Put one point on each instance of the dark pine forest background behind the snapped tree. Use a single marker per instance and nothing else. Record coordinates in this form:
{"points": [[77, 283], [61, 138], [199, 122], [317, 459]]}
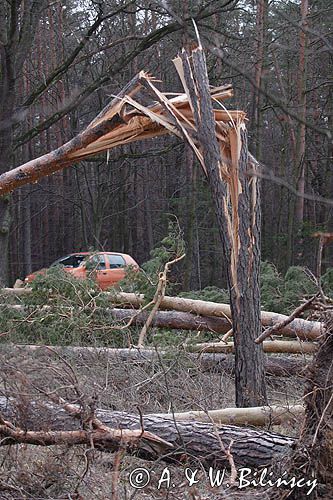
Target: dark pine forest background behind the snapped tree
{"points": [[61, 62]]}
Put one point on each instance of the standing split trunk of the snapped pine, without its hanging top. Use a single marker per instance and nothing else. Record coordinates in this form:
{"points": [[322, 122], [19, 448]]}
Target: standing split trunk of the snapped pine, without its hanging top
{"points": [[237, 206]]}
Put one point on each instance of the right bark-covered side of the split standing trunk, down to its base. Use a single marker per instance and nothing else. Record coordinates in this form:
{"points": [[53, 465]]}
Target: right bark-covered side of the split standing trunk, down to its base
{"points": [[245, 303]]}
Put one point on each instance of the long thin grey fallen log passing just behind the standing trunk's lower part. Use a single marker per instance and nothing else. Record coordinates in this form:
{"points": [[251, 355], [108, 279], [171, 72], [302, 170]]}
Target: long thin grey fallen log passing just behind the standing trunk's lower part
{"points": [[206, 362]]}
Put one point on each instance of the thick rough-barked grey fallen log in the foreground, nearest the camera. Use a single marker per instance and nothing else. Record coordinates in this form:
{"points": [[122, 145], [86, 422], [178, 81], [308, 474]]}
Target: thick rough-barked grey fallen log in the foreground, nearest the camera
{"points": [[188, 440]]}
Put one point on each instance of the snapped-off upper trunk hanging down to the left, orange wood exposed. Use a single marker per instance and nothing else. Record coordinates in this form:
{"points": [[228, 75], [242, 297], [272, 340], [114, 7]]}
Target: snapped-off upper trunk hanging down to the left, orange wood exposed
{"points": [[117, 124]]}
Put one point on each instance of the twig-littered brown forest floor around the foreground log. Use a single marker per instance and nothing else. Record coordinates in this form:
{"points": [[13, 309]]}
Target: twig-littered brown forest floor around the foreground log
{"points": [[60, 472]]}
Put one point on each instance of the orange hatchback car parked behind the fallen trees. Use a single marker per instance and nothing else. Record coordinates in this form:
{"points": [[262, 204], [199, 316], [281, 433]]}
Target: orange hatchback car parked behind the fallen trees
{"points": [[107, 268]]}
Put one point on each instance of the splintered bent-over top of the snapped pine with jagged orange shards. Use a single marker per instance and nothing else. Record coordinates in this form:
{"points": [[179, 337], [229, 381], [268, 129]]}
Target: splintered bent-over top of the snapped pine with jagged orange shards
{"points": [[125, 120]]}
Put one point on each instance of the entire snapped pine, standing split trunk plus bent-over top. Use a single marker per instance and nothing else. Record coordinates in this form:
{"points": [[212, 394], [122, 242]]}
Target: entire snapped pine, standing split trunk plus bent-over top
{"points": [[218, 138]]}
